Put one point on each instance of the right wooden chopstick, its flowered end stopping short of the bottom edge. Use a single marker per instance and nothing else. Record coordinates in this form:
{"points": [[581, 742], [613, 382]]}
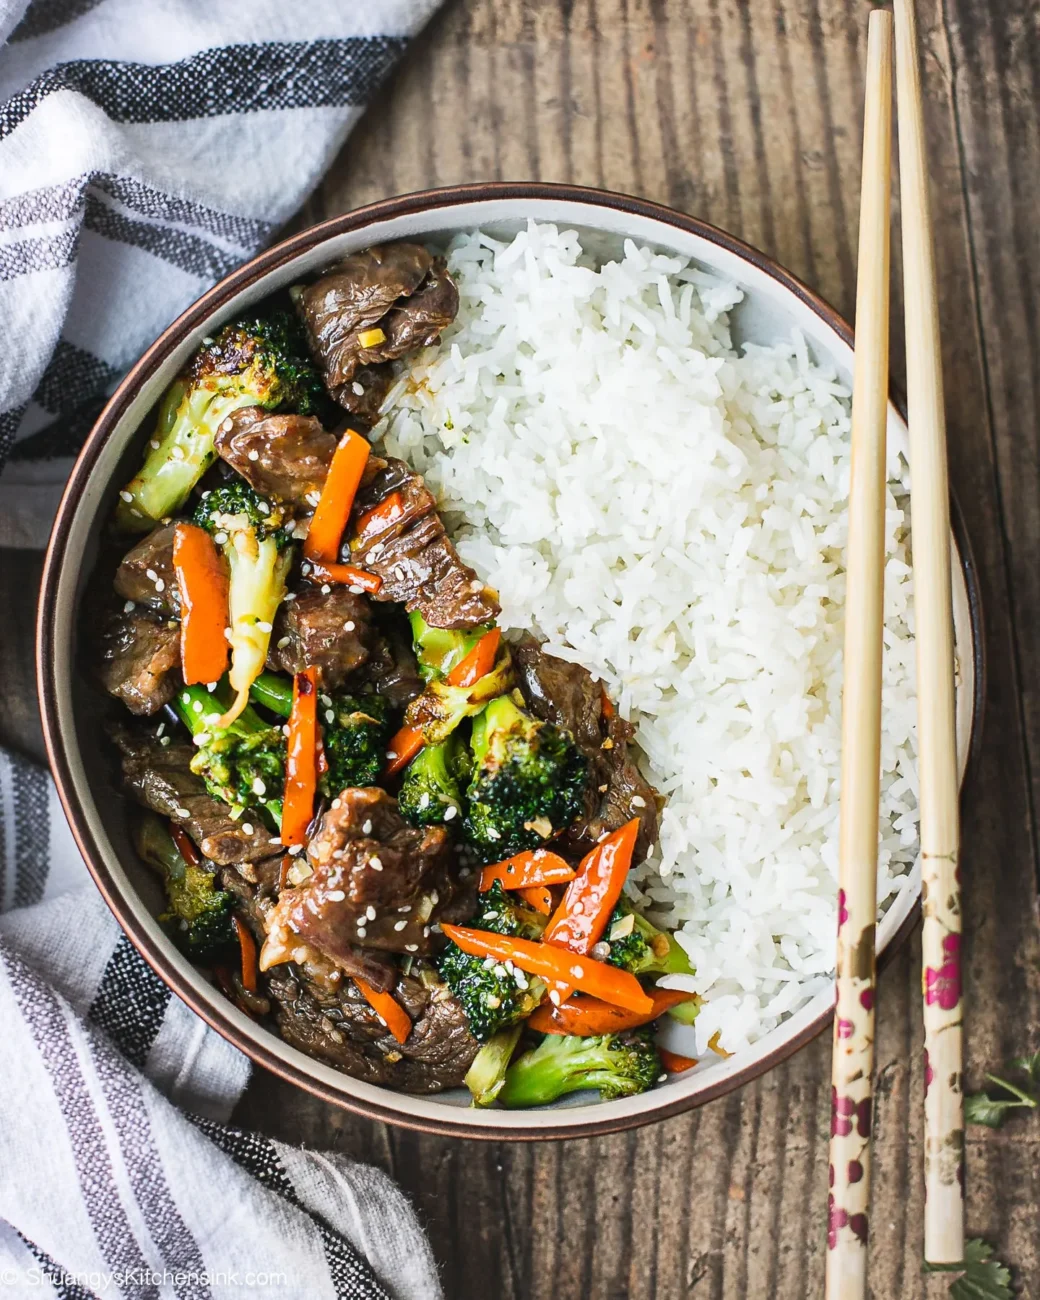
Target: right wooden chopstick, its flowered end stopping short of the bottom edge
{"points": [[941, 837]]}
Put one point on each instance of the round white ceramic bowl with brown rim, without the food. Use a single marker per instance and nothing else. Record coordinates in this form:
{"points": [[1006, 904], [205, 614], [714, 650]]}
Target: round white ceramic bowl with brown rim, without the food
{"points": [[775, 304]]}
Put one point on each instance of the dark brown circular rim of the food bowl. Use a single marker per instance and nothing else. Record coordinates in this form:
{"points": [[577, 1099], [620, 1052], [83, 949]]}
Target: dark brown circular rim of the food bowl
{"points": [[267, 262]]}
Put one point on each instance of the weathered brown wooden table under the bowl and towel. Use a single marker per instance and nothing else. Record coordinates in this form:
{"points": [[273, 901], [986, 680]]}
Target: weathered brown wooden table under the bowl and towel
{"points": [[748, 114]]}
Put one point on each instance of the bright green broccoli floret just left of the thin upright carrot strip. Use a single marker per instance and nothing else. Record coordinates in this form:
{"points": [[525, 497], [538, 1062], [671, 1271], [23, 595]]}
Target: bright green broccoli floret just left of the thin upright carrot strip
{"points": [[244, 765]]}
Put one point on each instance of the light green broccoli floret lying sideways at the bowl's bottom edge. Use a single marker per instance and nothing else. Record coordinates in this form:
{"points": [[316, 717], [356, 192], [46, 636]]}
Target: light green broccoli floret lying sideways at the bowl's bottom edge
{"points": [[619, 1065]]}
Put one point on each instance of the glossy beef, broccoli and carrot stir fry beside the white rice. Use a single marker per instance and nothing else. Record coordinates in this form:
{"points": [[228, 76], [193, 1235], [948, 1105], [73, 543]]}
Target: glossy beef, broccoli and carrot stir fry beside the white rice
{"points": [[388, 833]]}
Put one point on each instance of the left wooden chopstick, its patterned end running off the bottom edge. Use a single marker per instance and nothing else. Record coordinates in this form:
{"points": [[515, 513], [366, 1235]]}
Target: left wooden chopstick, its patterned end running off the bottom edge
{"points": [[861, 710]]}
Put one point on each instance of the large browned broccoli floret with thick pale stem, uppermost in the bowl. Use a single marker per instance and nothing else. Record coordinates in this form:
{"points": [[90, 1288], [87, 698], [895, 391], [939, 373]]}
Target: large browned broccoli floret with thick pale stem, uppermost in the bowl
{"points": [[261, 362]]}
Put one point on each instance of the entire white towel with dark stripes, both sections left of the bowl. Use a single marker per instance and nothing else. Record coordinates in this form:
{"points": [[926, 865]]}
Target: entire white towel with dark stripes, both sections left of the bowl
{"points": [[148, 148]]}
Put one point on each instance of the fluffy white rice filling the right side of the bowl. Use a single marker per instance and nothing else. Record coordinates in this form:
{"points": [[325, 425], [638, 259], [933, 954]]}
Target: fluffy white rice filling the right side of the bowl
{"points": [[671, 515]]}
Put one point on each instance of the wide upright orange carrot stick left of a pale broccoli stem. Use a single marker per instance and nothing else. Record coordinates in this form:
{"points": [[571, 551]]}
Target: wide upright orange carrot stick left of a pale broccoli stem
{"points": [[202, 580]]}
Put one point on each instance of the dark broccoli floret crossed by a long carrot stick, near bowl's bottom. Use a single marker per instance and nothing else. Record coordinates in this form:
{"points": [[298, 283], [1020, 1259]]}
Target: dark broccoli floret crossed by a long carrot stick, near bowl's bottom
{"points": [[491, 996]]}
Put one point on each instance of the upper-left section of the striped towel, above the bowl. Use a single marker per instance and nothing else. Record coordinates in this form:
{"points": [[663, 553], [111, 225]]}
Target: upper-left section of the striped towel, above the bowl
{"points": [[148, 148]]}
